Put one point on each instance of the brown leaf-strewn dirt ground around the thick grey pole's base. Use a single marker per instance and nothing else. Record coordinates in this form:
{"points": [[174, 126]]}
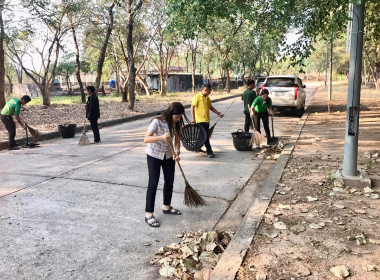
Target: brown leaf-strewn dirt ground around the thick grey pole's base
{"points": [[327, 224]]}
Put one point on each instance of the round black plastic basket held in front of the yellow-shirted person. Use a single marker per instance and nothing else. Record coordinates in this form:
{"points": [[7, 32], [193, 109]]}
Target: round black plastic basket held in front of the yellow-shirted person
{"points": [[193, 137]]}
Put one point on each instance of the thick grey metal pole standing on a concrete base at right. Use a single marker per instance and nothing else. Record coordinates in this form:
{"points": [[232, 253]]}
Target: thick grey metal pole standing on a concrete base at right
{"points": [[353, 98]]}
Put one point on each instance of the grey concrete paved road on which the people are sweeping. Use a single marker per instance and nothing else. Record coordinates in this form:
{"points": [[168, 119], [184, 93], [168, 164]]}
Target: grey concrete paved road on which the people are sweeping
{"points": [[70, 212]]}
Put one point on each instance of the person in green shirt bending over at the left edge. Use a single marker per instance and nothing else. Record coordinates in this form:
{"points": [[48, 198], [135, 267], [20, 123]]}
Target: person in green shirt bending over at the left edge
{"points": [[13, 107]]}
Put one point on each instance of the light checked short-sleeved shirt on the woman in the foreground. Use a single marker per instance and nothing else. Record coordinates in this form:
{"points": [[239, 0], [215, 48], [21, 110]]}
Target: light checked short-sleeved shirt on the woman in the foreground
{"points": [[161, 148]]}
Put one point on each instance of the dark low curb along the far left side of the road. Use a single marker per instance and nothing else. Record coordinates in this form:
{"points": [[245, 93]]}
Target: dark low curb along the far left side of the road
{"points": [[55, 134]]}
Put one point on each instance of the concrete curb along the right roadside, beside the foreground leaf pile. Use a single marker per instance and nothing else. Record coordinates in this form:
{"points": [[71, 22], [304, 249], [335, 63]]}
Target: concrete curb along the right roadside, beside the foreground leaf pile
{"points": [[231, 260]]}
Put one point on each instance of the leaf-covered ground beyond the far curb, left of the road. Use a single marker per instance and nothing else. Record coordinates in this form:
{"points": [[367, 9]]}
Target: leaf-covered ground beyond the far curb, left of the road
{"points": [[46, 119]]}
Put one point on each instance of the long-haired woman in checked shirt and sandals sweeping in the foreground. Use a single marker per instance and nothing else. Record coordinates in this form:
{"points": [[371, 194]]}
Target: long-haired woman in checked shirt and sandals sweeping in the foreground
{"points": [[162, 129]]}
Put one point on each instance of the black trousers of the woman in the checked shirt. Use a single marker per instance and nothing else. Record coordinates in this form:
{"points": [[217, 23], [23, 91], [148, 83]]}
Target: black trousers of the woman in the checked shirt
{"points": [[168, 168]]}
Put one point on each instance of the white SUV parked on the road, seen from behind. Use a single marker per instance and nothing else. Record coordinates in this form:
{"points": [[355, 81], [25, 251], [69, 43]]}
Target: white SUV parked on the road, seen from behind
{"points": [[286, 92]]}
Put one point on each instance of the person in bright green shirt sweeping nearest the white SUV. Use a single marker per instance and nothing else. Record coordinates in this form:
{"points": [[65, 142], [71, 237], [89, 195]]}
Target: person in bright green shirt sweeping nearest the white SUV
{"points": [[262, 109]]}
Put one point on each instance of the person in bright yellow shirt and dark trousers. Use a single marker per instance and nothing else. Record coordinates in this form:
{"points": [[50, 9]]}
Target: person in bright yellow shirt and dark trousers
{"points": [[200, 113]]}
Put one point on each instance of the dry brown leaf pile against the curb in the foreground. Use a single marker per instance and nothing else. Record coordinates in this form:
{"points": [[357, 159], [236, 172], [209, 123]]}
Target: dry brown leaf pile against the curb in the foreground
{"points": [[194, 257]]}
